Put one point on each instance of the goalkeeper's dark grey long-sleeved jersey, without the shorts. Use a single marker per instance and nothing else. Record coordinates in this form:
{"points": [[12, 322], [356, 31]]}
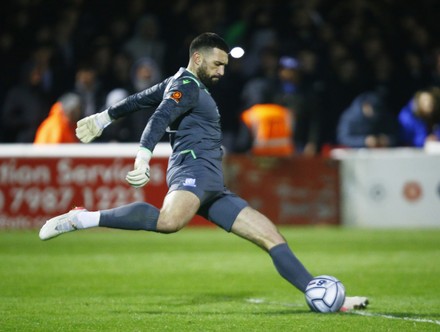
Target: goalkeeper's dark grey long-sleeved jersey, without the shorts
{"points": [[184, 107]]}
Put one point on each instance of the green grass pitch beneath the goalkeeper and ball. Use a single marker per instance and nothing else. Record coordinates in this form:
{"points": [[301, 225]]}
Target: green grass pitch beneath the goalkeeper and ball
{"points": [[204, 279]]}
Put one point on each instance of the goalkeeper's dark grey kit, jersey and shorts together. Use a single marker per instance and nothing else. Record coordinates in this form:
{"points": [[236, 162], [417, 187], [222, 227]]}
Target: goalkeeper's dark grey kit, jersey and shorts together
{"points": [[185, 107]]}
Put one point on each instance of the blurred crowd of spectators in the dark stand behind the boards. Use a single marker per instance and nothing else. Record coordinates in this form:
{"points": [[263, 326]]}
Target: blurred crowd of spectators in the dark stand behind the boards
{"points": [[354, 73]]}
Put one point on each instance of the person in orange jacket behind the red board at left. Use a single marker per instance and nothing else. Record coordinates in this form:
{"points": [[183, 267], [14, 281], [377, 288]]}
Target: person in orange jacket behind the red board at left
{"points": [[59, 126]]}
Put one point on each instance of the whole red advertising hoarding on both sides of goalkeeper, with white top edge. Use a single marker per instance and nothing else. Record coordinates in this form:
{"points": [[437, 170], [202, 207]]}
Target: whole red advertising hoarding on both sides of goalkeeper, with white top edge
{"points": [[37, 184]]}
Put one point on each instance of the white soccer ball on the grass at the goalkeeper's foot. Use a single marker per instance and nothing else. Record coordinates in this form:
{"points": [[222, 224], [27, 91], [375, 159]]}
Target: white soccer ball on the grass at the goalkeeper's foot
{"points": [[325, 294]]}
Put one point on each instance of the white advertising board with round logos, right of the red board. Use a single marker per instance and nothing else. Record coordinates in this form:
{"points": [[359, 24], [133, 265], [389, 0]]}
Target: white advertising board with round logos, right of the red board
{"points": [[389, 188]]}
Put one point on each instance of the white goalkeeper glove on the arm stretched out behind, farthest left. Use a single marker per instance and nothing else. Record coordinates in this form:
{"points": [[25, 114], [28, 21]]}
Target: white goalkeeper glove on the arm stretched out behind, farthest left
{"points": [[90, 127]]}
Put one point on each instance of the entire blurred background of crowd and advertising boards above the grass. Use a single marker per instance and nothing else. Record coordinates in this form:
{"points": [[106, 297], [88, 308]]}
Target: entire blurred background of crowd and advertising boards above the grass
{"points": [[354, 80]]}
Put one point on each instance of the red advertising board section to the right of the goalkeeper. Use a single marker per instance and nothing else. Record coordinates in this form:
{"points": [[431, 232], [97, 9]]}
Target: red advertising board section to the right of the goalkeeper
{"points": [[293, 191]]}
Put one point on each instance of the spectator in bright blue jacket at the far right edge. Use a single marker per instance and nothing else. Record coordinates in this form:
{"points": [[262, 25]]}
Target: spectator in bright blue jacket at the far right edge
{"points": [[419, 120]]}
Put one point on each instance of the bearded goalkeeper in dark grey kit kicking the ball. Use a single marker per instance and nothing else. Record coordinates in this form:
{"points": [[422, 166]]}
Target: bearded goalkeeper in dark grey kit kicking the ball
{"points": [[184, 108]]}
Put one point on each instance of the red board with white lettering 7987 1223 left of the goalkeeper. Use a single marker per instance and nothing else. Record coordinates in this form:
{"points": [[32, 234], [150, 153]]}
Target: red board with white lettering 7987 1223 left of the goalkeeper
{"points": [[35, 189]]}
